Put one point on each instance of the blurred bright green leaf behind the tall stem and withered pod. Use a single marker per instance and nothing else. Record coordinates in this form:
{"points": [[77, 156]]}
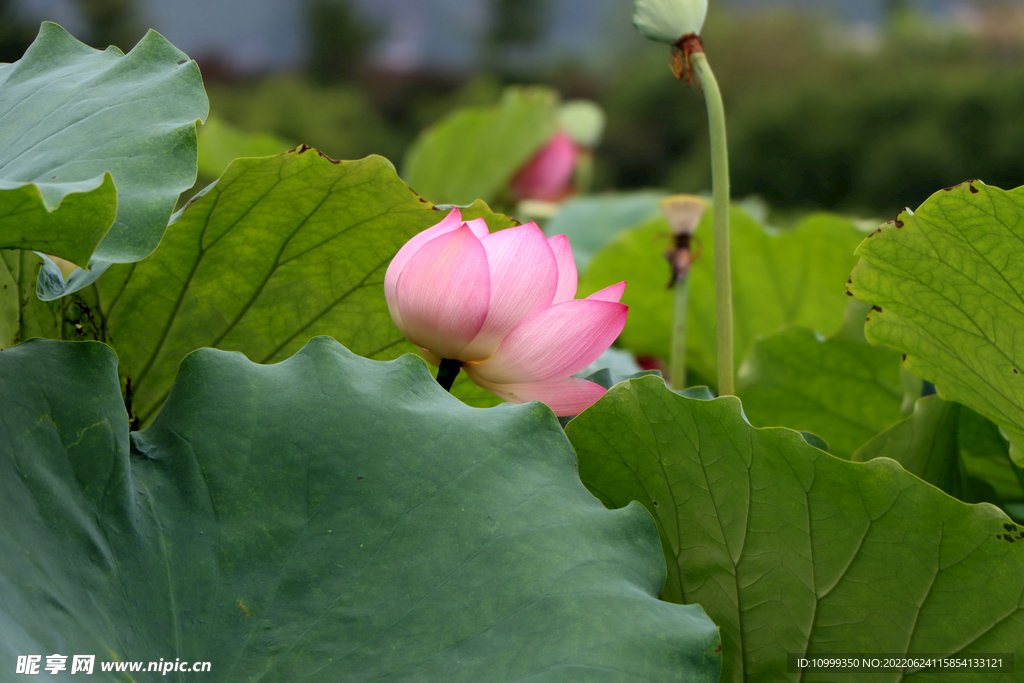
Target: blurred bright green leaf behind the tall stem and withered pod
{"points": [[794, 277]]}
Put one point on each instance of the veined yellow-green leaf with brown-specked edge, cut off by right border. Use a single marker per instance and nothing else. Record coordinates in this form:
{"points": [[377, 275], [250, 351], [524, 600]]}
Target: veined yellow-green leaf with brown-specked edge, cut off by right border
{"points": [[948, 283]]}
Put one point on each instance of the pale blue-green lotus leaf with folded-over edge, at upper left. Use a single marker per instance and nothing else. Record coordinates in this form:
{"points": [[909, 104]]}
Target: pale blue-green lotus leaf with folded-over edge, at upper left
{"points": [[78, 121]]}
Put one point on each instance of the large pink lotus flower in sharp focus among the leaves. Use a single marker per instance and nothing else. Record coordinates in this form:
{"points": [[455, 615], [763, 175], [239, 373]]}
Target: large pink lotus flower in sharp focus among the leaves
{"points": [[503, 305]]}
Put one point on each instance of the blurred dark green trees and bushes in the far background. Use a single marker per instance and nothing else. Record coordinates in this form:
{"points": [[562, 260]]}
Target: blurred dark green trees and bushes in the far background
{"points": [[861, 118]]}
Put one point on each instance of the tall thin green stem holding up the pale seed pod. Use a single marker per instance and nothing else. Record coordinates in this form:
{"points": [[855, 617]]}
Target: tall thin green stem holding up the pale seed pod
{"points": [[720, 192]]}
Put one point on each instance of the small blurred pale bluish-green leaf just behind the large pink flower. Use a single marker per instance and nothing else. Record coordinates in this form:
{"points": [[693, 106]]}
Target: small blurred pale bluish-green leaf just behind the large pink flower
{"points": [[591, 222]]}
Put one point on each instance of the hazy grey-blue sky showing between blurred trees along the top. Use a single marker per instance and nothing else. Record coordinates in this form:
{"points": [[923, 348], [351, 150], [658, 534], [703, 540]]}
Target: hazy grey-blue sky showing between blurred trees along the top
{"points": [[269, 35]]}
